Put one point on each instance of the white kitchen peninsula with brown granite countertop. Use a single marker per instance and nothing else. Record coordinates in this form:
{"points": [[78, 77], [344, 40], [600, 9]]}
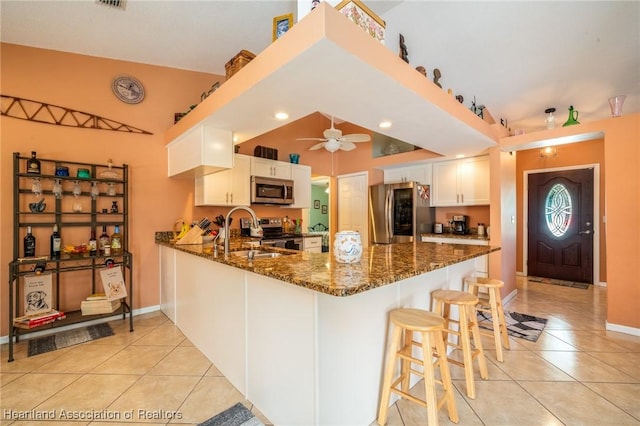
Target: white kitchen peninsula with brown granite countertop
{"points": [[302, 336]]}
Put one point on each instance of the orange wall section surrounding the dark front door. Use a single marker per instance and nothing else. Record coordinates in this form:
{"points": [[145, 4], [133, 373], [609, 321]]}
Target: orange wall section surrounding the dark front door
{"points": [[589, 152]]}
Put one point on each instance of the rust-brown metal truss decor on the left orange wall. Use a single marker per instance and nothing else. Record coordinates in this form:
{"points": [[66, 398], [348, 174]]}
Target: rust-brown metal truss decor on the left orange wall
{"points": [[42, 112]]}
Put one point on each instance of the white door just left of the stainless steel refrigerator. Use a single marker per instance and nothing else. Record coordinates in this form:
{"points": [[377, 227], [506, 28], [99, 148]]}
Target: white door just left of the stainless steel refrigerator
{"points": [[352, 204]]}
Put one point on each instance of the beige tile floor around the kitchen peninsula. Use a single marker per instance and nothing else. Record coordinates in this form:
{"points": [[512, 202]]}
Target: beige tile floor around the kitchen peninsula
{"points": [[577, 373]]}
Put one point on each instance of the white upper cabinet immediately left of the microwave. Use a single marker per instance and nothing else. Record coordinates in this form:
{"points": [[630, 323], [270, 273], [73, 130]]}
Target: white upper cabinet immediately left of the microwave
{"points": [[226, 188]]}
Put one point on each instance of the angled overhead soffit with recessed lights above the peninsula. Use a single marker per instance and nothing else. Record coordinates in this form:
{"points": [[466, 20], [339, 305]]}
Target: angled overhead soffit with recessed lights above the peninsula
{"points": [[353, 77]]}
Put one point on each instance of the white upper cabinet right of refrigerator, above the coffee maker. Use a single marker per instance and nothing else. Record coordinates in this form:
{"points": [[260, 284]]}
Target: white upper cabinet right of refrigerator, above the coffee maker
{"points": [[461, 182]]}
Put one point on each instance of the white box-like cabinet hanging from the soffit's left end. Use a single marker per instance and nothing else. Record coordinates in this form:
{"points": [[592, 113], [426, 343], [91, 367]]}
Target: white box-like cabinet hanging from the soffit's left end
{"points": [[201, 150]]}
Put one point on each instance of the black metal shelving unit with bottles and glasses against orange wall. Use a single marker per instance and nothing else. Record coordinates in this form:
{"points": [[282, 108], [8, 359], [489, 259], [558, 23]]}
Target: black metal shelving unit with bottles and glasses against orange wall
{"points": [[65, 218]]}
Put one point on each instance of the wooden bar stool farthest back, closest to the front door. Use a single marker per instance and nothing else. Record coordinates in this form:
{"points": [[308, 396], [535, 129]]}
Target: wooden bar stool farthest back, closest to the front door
{"points": [[490, 301]]}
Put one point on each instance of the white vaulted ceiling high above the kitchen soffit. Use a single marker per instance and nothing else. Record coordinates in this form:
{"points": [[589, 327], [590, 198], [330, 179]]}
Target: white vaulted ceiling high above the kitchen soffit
{"points": [[516, 58]]}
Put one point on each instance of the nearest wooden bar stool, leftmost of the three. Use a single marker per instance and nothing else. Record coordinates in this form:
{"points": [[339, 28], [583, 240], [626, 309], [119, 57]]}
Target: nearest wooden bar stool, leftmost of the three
{"points": [[429, 327]]}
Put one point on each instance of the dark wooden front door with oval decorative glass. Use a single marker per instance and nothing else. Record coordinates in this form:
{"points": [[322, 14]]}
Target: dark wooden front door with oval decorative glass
{"points": [[560, 227]]}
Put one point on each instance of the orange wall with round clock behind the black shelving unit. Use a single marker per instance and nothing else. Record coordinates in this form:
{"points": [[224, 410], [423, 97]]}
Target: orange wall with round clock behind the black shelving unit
{"points": [[84, 83]]}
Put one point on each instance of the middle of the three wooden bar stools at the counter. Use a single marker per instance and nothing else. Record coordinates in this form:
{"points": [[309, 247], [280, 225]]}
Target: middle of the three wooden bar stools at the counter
{"points": [[467, 328]]}
